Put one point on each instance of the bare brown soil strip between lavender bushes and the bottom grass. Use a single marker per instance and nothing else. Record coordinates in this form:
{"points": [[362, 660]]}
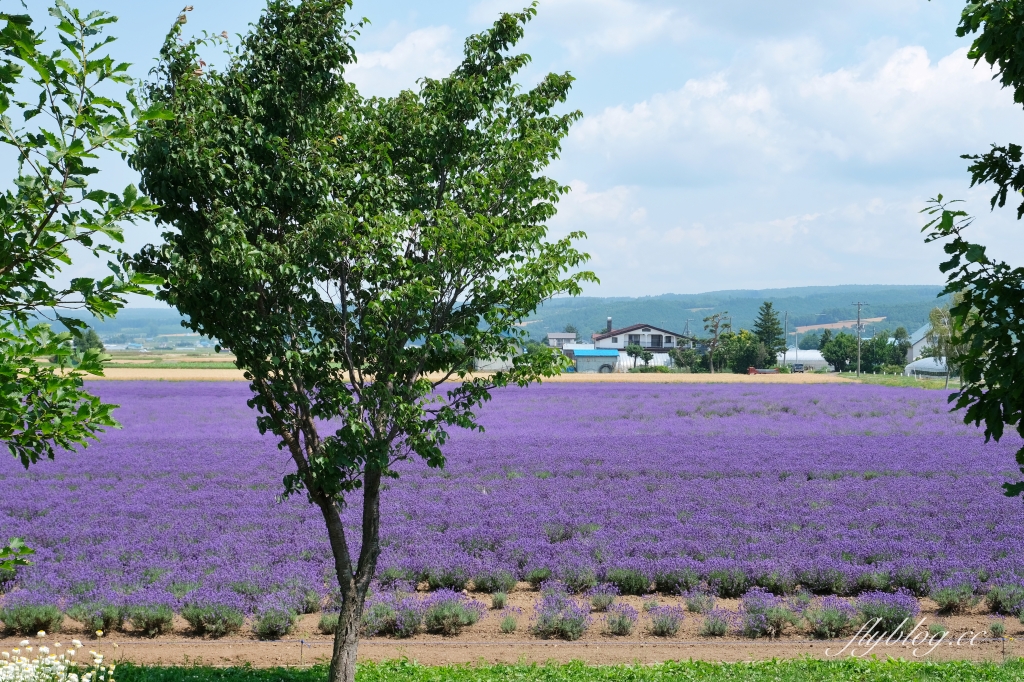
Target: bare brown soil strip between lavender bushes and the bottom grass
{"points": [[485, 643]]}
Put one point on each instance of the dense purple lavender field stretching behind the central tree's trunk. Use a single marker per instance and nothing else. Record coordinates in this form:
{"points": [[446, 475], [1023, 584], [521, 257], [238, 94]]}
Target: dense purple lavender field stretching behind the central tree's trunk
{"points": [[841, 489]]}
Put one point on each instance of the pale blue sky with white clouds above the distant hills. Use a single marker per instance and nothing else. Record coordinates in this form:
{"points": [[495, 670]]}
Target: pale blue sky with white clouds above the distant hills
{"points": [[739, 144]]}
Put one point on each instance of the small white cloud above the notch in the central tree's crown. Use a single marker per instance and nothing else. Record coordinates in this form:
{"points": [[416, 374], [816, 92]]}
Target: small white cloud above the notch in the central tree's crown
{"points": [[429, 53]]}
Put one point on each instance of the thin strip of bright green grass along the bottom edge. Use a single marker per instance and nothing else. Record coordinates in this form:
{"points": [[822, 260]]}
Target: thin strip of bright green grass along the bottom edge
{"points": [[776, 671]]}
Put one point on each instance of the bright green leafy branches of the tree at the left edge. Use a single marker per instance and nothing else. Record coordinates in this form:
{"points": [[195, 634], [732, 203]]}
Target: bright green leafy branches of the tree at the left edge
{"points": [[48, 212]]}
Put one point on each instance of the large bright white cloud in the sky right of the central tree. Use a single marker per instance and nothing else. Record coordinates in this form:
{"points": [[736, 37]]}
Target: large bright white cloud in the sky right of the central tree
{"points": [[788, 115]]}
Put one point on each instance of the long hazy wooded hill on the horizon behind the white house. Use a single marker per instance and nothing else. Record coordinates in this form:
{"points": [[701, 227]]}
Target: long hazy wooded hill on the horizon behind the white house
{"points": [[902, 306]]}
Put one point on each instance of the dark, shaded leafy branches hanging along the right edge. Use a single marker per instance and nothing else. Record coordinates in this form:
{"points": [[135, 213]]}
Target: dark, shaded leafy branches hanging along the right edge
{"points": [[989, 321]]}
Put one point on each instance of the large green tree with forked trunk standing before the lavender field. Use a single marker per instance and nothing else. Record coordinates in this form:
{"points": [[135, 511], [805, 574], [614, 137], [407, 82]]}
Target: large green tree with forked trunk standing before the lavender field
{"points": [[320, 236]]}
